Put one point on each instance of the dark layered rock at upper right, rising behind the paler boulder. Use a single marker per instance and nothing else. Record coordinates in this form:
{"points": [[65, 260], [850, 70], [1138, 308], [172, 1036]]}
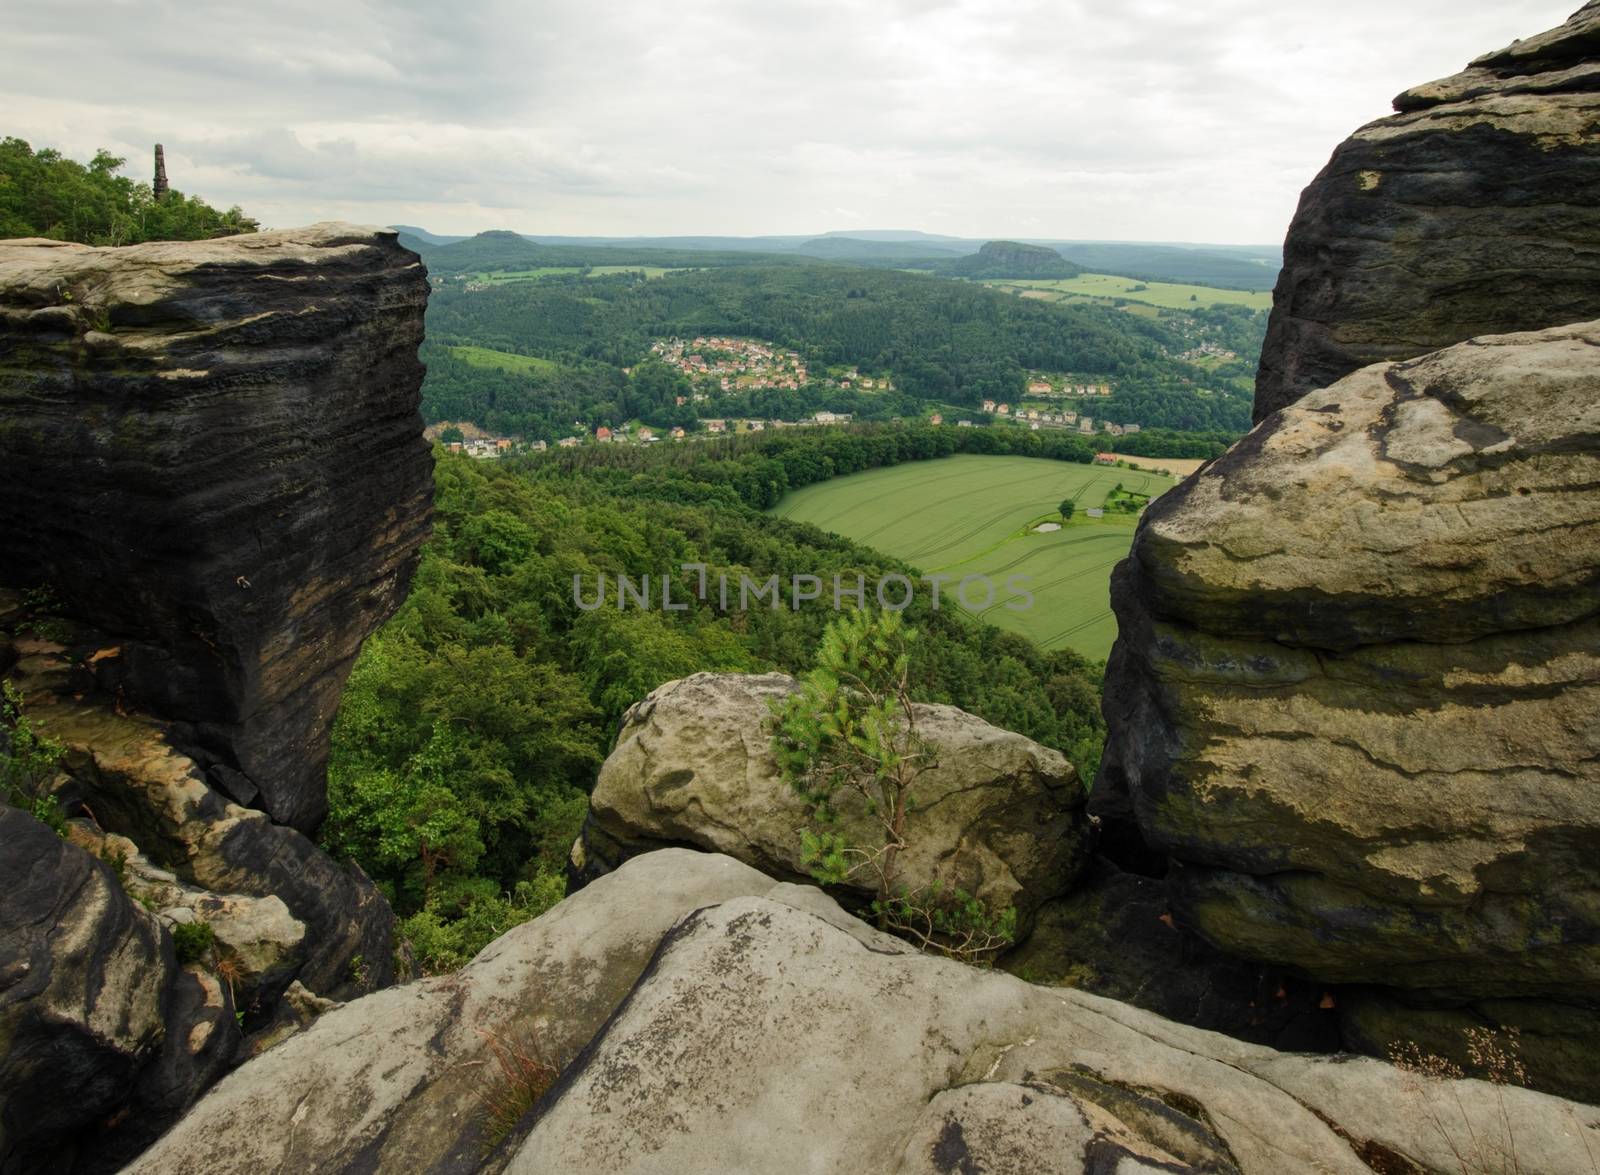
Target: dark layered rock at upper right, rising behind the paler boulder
{"points": [[1474, 211]]}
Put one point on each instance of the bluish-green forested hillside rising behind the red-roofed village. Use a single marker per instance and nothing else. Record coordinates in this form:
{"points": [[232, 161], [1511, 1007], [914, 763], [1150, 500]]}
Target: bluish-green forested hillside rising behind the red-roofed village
{"points": [[948, 342]]}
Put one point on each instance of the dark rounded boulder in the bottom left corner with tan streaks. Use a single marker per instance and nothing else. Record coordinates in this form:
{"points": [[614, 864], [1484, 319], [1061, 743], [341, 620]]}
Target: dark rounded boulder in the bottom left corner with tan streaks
{"points": [[103, 1038]]}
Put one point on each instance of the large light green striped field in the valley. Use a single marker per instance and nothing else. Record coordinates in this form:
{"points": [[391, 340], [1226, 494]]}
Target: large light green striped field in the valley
{"points": [[977, 515]]}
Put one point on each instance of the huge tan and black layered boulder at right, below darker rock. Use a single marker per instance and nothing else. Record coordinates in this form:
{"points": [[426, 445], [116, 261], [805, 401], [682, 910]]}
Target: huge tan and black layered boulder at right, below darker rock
{"points": [[1356, 688]]}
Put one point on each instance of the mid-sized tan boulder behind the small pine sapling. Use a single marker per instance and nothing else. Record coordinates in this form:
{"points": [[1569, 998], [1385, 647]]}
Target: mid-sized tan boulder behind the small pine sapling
{"points": [[1001, 817]]}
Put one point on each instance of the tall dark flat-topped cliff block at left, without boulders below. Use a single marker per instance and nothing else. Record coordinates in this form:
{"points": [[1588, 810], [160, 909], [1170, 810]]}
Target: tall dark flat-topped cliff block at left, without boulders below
{"points": [[214, 452]]}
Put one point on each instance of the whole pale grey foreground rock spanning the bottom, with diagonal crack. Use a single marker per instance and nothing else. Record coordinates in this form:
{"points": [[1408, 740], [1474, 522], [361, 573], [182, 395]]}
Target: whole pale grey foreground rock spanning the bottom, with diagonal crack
{"points": [[708, 1019]]}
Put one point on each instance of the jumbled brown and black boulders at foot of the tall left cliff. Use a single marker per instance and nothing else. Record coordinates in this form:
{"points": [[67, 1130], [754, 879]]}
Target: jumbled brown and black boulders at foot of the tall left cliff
{"points": [[92, 995]]}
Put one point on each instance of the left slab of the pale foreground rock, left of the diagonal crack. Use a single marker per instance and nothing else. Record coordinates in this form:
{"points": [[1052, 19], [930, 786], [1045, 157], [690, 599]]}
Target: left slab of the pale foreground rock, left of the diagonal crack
{"points": [[394, 1081]]}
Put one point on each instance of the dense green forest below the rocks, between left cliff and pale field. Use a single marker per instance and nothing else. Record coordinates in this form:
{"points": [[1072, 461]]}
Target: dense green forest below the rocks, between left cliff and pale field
{"points": [[476, 721]]}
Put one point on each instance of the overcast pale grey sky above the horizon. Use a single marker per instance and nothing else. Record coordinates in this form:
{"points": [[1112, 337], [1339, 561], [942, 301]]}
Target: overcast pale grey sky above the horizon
{"points": [[1094, 119]]}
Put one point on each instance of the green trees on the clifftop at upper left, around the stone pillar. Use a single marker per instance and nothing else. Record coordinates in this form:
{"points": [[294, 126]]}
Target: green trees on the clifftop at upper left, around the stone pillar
{"points": [[46, 194]]}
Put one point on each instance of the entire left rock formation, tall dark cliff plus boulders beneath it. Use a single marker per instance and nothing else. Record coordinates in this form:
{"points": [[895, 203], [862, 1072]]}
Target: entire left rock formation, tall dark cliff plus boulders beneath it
{"points": [[214, 486]]}
